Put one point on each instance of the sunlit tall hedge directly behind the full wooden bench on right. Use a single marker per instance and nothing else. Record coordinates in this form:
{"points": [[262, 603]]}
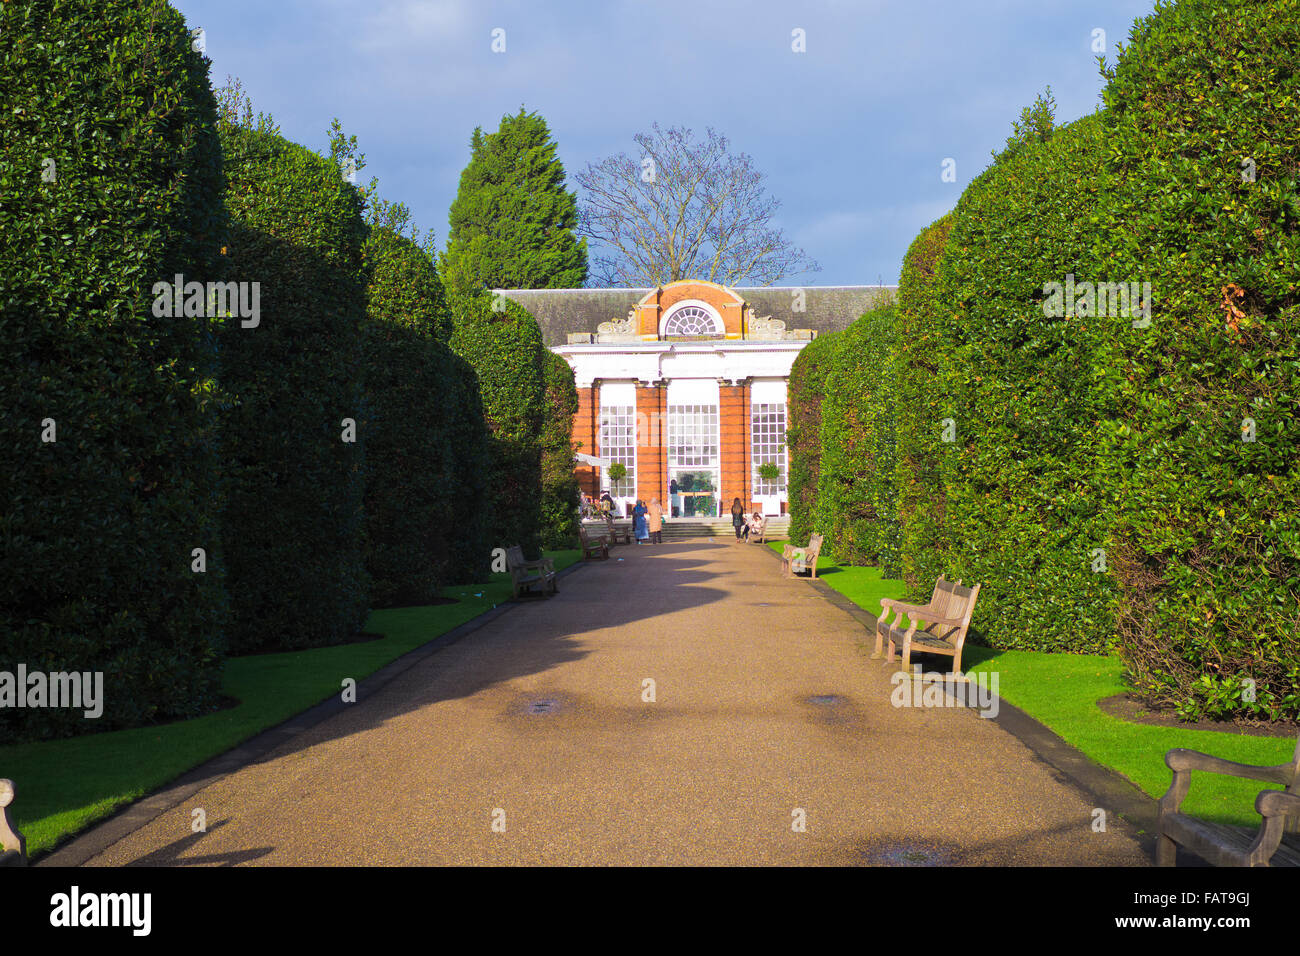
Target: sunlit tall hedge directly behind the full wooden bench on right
{"points": [[1026, 514]]}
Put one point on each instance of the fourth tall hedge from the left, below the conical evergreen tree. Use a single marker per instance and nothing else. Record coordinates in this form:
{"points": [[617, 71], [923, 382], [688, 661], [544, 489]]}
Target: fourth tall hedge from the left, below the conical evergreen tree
{"points": [[504, 344]]}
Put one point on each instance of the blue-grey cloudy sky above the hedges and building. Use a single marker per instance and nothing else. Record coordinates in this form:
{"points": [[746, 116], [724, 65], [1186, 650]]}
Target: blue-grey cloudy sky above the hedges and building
{"points": [[852, 133]]}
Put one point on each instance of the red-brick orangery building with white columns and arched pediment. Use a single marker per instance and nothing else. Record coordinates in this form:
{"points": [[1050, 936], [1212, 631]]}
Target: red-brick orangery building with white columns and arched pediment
{"points": [[686, 386]]}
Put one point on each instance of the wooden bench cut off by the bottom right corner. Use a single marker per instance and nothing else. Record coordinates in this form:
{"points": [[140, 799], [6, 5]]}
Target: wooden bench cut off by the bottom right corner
{"points": [[1276, 843]]}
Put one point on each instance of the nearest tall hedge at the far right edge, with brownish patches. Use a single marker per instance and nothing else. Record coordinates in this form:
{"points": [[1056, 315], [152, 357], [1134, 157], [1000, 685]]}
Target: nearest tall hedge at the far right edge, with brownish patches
{"points": [[1207, 552]]}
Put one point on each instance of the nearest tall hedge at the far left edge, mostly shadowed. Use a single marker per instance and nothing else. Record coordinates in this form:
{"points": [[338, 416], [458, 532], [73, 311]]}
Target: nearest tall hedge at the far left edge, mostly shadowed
{"points": [[98, 527]]}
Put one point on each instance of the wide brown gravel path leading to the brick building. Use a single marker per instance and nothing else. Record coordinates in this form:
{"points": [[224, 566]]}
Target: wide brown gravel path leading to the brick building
{"points": [[716, 771]]}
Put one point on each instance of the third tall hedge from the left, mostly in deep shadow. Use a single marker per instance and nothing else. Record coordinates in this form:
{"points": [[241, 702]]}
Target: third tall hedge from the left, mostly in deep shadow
{"points": [[414, 439]]}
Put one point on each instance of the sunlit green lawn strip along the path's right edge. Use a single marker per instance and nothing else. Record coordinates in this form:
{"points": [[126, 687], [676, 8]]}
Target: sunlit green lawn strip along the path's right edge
{"points": [[1063, 691]]}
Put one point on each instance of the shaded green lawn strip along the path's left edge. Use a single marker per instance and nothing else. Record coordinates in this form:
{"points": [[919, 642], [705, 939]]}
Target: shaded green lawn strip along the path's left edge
{"points": [[63, 786]]}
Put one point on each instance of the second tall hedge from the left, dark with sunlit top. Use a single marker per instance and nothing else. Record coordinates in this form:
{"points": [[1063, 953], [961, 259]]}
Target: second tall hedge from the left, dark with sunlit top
{"points": [[296, 527]]}
